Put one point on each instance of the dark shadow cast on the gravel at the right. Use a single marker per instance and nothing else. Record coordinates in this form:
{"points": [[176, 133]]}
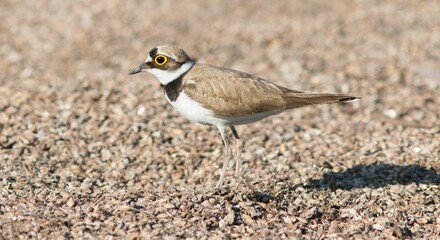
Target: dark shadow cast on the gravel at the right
{"points": [[375, 176]]}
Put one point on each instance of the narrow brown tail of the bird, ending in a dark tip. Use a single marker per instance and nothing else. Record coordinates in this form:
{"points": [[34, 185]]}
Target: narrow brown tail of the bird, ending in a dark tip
{"points": [[302, 99]]}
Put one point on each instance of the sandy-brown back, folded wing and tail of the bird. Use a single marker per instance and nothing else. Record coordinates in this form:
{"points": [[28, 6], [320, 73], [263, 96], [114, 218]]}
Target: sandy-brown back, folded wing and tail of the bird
{"points": [[232, 93]]}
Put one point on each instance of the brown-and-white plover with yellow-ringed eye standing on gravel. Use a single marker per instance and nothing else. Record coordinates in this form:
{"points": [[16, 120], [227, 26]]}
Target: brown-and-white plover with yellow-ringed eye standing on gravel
{"points": [[223, 97]]}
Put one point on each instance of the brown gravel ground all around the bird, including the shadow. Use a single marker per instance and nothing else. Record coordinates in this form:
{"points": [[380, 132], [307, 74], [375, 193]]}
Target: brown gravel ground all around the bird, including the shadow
{"points": [[88, 152]]}
